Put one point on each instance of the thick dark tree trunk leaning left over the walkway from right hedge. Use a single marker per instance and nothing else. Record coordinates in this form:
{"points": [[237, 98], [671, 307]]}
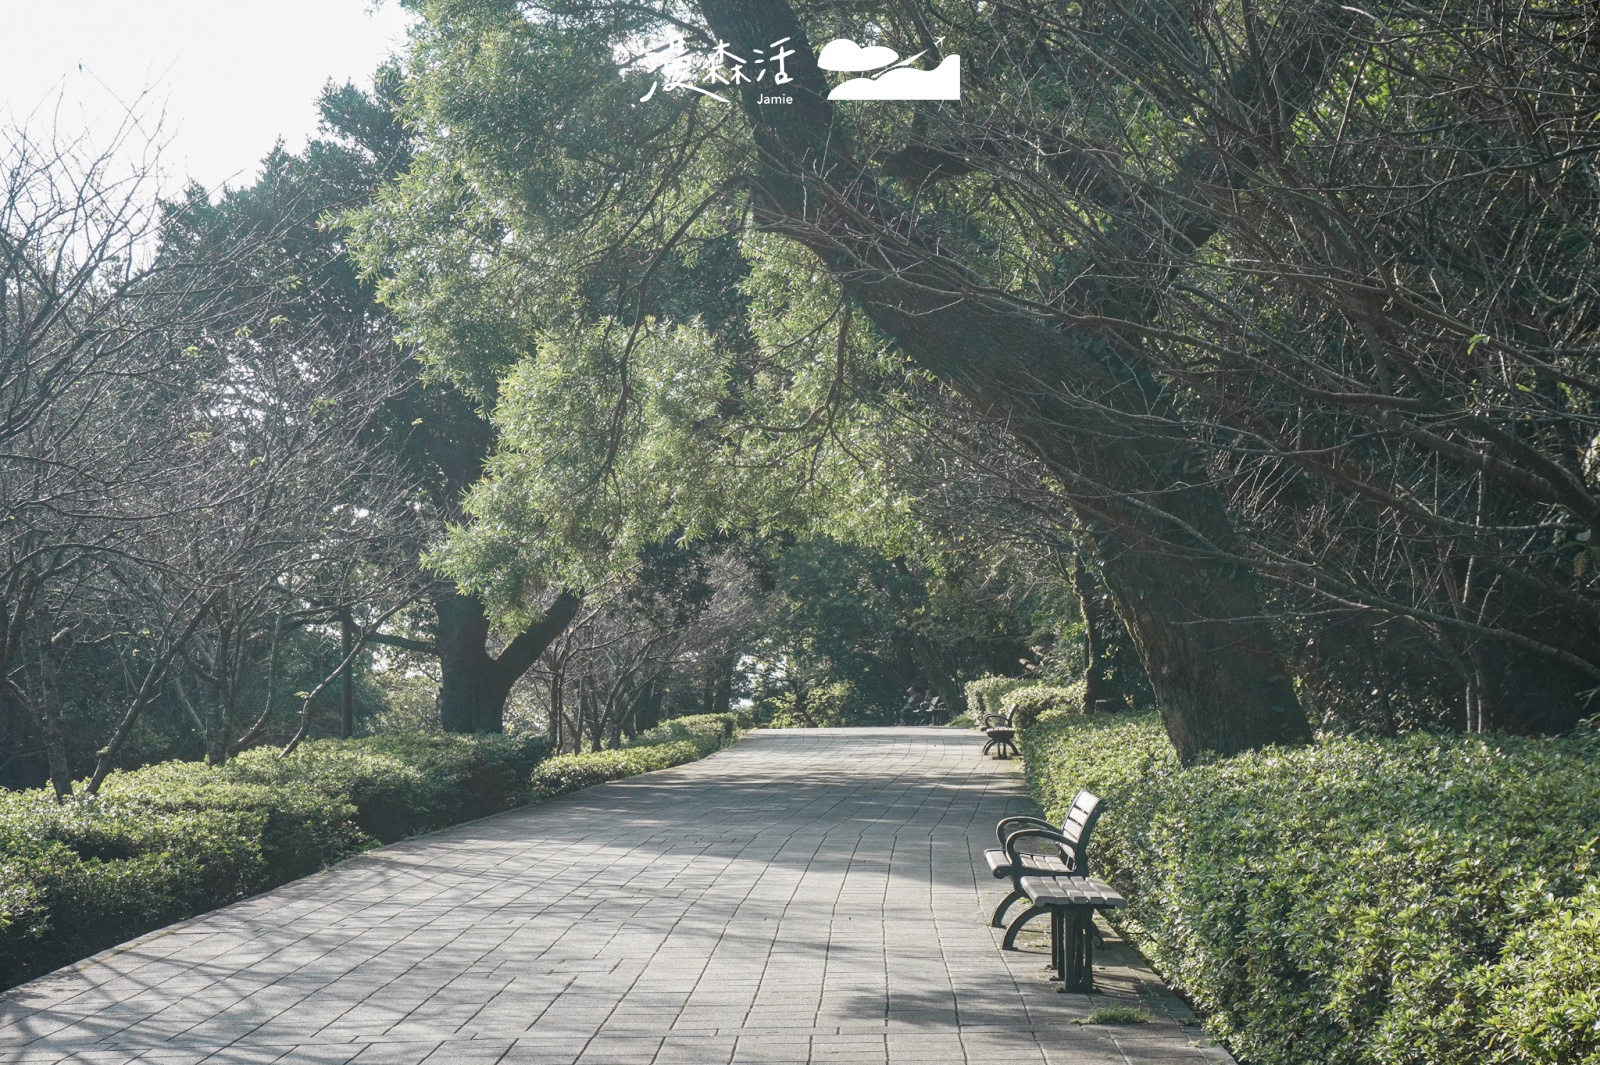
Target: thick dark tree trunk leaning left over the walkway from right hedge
{"points": [[1194, 615]]}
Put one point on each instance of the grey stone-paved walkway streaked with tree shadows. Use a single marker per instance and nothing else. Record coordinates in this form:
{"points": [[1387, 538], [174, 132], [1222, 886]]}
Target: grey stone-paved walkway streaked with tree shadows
{"points": [[806, 896]]}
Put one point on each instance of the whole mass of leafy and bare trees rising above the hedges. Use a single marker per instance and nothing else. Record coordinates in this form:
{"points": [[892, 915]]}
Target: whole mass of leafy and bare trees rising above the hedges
{"points": [[1241, 356]]}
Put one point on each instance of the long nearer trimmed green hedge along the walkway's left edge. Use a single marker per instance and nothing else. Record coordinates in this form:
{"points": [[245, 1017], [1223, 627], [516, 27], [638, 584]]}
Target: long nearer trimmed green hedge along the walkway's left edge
{"points": [[167, 842]]}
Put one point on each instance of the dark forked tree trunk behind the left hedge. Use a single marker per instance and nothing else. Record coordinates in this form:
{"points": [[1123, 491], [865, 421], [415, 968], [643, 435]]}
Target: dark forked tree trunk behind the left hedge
{"points": [[474, 685]]}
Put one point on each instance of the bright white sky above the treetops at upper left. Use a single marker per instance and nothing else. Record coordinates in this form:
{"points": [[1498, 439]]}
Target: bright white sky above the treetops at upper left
{"points": [[231, 76]]}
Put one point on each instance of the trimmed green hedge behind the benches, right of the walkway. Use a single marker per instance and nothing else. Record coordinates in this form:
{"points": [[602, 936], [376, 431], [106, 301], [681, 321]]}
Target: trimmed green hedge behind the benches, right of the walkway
{"points": [[1428, 899]]}
